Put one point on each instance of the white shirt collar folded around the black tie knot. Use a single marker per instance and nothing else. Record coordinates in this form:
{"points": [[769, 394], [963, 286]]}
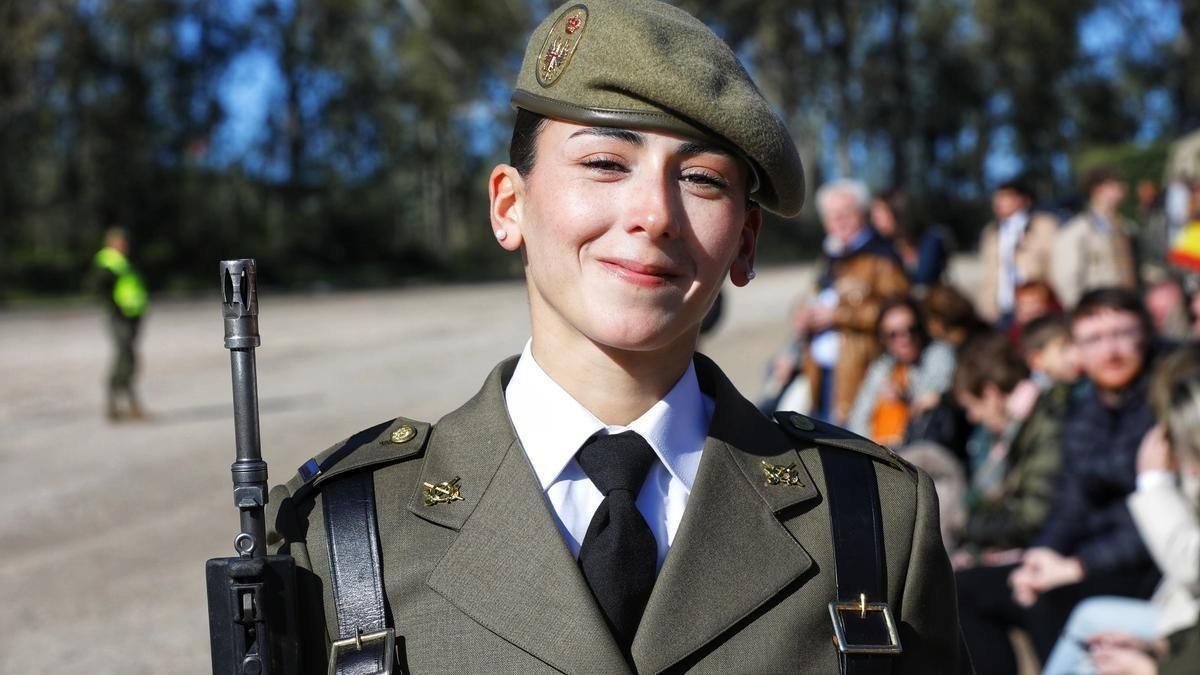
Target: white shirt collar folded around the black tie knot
{"points": [[553, 426]]}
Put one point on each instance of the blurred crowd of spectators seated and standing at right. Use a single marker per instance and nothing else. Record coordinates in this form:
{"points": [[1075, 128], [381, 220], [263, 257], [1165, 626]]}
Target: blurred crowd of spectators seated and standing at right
{"points": [[1057, 404]]}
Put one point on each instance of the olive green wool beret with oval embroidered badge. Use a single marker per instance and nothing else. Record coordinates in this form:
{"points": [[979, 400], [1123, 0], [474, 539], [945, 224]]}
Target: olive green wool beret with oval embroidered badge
{"points": [[643, 64]]}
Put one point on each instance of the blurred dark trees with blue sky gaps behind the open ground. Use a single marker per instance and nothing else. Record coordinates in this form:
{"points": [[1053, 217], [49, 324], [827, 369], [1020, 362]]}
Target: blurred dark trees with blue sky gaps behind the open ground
{"points": [[381, 121]]}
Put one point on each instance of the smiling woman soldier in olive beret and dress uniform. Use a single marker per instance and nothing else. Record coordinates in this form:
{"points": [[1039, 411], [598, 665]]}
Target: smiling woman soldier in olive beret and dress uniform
{"points": [[609, 503]]}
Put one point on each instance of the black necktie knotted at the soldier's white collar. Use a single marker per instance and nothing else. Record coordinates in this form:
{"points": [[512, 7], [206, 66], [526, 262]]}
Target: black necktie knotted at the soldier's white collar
{"points": [[619, 555]]}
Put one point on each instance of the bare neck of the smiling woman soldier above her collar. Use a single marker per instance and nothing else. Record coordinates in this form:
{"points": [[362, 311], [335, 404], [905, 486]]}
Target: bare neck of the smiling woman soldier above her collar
{"points": [[617, 386]]}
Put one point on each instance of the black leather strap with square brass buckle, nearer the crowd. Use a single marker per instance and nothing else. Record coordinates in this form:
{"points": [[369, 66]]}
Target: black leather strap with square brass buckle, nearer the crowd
{"points": [[857, 528]]}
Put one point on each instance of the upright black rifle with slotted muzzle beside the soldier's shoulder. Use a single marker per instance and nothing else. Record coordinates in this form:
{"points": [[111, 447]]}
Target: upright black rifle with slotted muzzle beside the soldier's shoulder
{"points": [[251, 598]]}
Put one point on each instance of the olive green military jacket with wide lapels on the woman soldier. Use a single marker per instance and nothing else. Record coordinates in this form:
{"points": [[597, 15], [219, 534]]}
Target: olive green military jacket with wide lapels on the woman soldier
{"points": [[488, 584]]}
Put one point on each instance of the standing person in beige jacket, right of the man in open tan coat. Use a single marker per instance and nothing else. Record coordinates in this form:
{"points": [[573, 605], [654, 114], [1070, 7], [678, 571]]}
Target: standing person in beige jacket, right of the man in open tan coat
{"points": [[1094, 249]]}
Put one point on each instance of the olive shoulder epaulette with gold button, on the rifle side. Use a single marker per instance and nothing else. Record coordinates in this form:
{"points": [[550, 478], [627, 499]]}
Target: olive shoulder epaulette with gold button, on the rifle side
{"points": [[385, 444]]}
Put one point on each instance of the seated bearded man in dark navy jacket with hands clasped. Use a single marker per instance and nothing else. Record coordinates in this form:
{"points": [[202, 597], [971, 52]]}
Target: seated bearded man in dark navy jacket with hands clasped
{"points": [[1089, 545]]}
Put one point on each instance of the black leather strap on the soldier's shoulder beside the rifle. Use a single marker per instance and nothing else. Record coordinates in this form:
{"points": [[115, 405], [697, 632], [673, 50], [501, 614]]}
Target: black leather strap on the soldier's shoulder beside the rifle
{"points": [[357, 572]]}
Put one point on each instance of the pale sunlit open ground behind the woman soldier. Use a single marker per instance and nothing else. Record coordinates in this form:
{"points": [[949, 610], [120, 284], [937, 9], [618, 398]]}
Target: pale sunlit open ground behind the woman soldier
{"points": [[107, 529]]}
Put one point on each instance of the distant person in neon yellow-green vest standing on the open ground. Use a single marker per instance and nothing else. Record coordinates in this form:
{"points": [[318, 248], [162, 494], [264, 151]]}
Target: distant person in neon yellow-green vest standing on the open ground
{"points": [[125, 298]]}
